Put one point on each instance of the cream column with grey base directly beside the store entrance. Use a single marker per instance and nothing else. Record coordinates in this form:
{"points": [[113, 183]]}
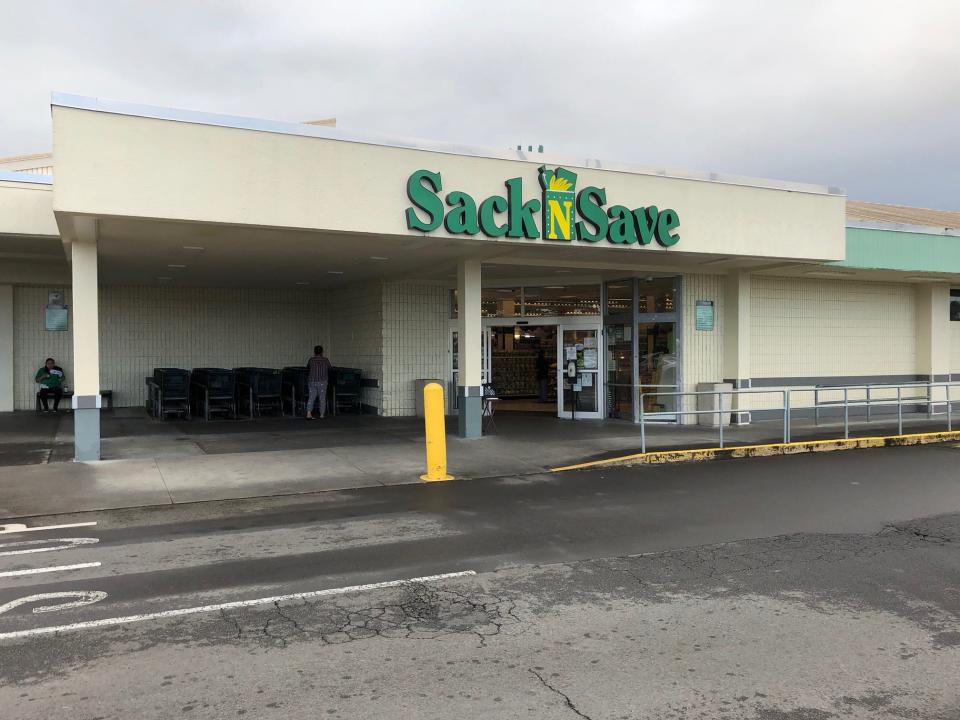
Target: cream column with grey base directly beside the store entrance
{"points": [[470, 331]]}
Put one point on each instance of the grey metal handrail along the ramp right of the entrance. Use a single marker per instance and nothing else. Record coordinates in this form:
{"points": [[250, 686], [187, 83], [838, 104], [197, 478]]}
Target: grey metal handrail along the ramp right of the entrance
{"points": [[788, 407]]}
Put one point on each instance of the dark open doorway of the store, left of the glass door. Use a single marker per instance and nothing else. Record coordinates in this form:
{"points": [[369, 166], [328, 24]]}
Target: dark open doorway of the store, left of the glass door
{"points": [[523, 367]]}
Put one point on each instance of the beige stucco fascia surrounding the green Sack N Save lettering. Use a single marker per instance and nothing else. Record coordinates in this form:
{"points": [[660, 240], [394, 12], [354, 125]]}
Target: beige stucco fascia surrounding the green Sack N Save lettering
{"points": [[111, 164]]}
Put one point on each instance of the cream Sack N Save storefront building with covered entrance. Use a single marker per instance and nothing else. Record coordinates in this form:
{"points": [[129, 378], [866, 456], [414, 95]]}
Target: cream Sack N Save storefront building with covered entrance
{"points": [[591, 290]]}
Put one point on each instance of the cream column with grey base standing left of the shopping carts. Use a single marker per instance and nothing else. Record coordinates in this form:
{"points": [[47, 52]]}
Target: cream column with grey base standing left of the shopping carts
{"points": [[86, 352]]}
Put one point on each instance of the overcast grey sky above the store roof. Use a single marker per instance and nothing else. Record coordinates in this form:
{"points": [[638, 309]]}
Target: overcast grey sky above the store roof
{"points": [[863, 94]]}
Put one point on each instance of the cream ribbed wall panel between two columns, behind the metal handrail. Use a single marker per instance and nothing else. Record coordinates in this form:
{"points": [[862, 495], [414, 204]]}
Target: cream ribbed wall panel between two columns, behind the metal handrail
{"points": [[814, 328]]}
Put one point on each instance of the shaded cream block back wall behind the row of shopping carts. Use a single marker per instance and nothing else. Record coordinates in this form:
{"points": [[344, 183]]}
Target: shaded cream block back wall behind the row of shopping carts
{"points": [[146, 327]]}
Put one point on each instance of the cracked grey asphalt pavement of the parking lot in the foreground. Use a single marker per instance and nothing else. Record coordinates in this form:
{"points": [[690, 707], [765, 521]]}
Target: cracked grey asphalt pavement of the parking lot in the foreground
{"points": [[800, 588]]}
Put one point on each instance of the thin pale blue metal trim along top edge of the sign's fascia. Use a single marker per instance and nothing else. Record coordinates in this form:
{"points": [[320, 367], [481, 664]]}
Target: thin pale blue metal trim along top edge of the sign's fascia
{"points": [[117, 107]]}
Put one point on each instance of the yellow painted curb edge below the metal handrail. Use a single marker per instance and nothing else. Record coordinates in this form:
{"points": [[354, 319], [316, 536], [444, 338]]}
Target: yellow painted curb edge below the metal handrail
{"points": [[660, 457]]}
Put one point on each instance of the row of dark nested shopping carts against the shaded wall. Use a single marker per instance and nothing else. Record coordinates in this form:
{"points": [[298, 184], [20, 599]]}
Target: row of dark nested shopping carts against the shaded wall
{"points": [[244, 392]]}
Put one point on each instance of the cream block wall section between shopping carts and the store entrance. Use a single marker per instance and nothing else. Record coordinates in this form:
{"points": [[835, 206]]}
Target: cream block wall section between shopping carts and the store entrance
{"points": [[415, 329]]}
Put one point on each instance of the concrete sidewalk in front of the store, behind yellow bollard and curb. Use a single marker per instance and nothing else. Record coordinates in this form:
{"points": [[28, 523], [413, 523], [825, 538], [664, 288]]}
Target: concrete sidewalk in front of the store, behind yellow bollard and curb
{"points": [[151, 463]]}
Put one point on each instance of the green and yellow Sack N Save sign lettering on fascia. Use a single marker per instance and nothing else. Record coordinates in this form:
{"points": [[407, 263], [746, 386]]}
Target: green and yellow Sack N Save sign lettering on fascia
{"points": [[559, 207]]}
